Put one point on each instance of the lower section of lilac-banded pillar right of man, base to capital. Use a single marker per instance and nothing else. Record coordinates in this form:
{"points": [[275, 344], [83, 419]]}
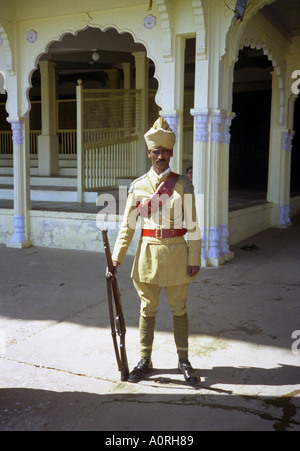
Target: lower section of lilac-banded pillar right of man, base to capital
{"points": [[211, 182]]}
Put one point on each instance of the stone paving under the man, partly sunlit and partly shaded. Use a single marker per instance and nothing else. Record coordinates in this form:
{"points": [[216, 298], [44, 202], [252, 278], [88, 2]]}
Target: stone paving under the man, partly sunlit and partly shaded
{"points": [[58, 370]]}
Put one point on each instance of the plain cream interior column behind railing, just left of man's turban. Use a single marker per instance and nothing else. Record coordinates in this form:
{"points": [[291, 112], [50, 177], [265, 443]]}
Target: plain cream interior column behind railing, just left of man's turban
{"points": [[142, 84]]}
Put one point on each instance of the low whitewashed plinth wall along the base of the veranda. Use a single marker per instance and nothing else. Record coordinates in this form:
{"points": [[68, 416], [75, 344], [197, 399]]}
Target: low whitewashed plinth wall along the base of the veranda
{"points": [[82, 232]]}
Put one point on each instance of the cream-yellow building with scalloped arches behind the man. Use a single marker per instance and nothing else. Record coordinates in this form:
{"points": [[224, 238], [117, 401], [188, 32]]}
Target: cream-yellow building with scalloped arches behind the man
{"points": [[81, 82]]}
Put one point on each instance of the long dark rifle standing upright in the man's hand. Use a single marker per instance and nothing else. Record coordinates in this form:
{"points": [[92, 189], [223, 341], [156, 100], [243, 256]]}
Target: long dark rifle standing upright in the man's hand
{"points": [[117, 321]]}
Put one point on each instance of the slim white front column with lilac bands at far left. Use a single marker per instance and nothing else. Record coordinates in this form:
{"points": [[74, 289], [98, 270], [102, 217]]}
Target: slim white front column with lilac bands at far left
{"points": [[20, 137]]}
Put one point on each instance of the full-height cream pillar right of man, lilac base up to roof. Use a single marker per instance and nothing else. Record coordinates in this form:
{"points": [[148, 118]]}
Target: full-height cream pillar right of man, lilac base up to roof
{"points": [[212, 121]]}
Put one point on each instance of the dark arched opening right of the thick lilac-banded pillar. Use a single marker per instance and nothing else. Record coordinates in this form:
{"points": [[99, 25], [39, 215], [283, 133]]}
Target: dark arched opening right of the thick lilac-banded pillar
{"points": [[249, 147]]}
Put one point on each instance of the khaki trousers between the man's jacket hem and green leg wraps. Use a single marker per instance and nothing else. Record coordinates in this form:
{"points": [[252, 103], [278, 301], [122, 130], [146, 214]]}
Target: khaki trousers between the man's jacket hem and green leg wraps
{"points": [[149, 296]]}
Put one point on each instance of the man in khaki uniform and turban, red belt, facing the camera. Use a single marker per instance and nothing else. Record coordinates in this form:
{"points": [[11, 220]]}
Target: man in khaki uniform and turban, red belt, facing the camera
{"points": [[166, 205]]}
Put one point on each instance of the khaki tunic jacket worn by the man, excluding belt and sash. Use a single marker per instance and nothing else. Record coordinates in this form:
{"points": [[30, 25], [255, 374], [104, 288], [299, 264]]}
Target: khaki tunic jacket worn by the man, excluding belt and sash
{"points": [[161, 261]]}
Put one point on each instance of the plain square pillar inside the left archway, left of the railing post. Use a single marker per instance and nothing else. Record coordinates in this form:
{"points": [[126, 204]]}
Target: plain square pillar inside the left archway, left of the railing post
{"points": [[48, 141]]}
